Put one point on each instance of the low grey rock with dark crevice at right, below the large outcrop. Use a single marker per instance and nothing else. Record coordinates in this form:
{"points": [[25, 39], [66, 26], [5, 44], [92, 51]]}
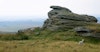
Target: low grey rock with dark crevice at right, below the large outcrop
{"points": [[83, 31]]}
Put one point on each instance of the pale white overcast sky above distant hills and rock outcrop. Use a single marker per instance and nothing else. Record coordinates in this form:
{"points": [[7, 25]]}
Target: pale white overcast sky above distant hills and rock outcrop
{"points": [[34, 9]]}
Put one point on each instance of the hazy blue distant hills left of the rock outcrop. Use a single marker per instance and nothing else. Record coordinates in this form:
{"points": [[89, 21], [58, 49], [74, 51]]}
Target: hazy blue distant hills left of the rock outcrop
{"points": [[14, 26]]}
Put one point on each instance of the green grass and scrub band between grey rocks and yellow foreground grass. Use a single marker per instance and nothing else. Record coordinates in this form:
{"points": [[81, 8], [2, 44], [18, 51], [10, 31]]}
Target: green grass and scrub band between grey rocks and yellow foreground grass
{"points": [[52, 35]]}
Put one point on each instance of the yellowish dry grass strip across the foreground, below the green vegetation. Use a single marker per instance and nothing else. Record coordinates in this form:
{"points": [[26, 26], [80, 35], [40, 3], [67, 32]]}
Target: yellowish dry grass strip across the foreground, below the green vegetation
{"points": [[47, 46]]}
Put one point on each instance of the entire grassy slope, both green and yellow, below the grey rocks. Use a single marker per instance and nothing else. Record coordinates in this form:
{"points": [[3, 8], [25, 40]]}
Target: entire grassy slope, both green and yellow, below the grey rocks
{"points": [[50, 41]]}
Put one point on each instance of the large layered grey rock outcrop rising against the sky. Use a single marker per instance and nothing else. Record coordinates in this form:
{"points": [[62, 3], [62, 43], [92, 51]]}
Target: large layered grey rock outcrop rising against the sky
{"points": [[61, 18]]}
